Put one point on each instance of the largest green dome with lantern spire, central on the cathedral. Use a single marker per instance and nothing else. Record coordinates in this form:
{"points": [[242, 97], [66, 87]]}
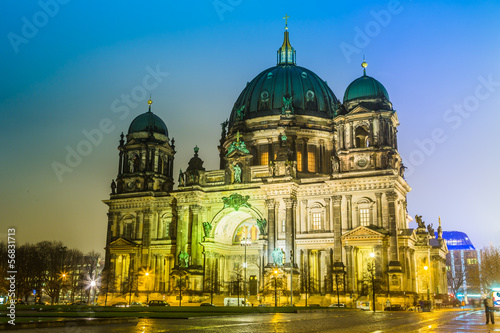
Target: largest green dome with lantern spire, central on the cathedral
{"points": [[285, 89]]}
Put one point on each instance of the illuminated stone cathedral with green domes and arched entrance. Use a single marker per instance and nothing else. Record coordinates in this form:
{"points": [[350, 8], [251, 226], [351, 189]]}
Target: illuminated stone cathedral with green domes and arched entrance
{"points": [[308, 185]]}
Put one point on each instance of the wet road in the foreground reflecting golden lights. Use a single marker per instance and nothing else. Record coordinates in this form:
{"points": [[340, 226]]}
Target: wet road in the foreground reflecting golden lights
{"points": [[331, 321]]}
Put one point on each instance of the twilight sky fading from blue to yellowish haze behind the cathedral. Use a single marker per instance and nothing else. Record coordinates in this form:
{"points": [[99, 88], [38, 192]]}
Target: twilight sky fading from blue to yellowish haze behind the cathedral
{"points": [[75, 74]]}
